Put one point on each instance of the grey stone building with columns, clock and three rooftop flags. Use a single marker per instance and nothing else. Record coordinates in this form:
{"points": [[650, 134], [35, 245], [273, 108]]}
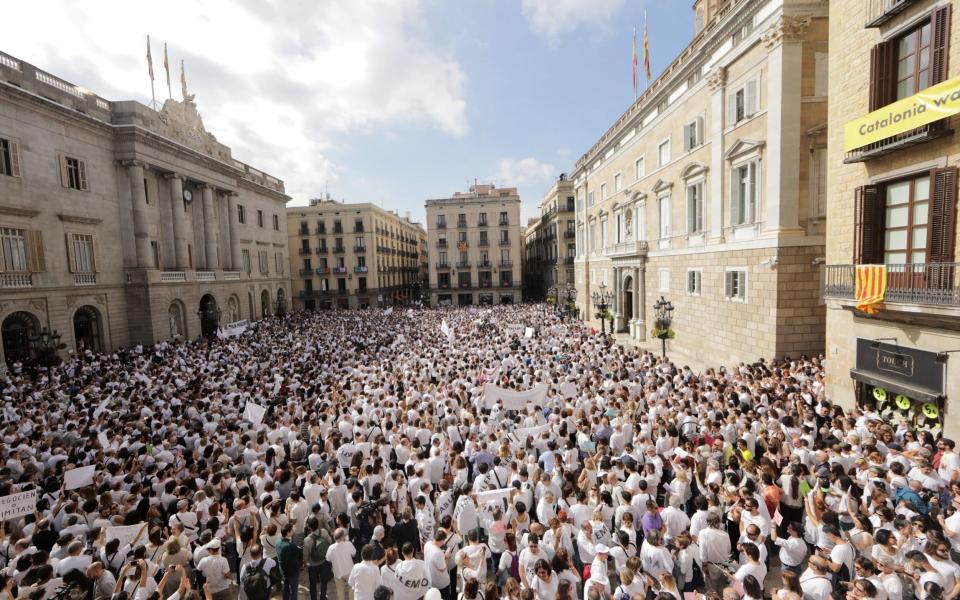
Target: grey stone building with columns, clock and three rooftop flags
{"points": [[121, 224]]}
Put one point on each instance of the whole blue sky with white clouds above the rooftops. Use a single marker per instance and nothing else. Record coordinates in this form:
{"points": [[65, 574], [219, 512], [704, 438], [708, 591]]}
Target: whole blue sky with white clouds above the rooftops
{"points": [[384, 101]]}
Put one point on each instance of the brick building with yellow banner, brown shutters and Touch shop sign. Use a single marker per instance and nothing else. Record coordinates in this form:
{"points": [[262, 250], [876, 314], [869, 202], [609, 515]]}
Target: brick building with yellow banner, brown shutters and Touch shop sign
{"points": [[892, 210]]}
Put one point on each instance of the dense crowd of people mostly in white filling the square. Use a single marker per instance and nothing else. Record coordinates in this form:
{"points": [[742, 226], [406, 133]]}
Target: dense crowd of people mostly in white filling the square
{"points": [[381, 469]]}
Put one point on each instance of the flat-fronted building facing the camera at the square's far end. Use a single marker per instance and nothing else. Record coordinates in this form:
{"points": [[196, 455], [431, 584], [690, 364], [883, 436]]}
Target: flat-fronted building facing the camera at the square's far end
{"points": [[473, 241]]}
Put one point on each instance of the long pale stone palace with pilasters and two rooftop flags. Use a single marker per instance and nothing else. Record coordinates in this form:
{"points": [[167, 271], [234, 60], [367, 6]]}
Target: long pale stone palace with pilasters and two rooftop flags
{"points": [[709, 190]]}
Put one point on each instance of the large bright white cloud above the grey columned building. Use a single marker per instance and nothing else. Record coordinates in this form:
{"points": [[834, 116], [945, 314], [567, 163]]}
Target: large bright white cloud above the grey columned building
{"points": [[276, 81]]}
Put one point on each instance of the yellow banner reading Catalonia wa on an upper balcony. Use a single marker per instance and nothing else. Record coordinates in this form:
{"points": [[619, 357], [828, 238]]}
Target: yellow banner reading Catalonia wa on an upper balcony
{"points": [[932, 104]]}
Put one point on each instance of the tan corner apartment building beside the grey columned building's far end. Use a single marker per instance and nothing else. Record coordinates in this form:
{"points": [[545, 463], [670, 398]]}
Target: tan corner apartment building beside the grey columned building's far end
{"points": [[354, 255]]}
